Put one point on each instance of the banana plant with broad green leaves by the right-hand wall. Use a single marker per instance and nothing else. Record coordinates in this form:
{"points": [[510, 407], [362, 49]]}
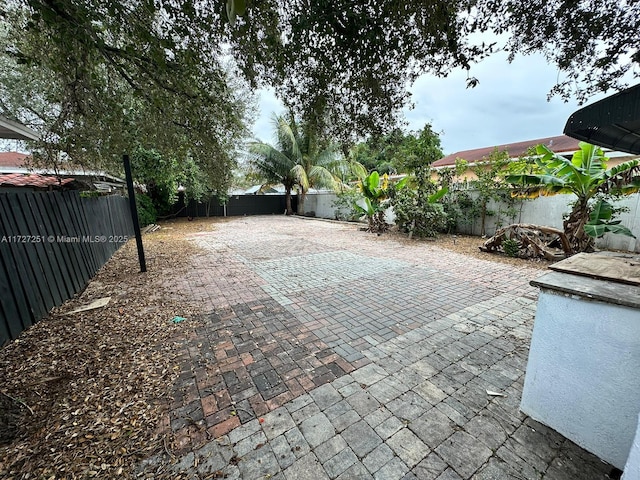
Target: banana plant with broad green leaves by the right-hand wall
{"points": [[587, 177]]}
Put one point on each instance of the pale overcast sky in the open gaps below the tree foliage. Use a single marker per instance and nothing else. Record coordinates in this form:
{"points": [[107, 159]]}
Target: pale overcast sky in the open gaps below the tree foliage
{"points": [[509, 105]]}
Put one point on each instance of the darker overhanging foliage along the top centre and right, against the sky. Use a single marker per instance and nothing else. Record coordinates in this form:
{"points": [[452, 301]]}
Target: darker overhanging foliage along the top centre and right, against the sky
{"points": [[348, 64]]}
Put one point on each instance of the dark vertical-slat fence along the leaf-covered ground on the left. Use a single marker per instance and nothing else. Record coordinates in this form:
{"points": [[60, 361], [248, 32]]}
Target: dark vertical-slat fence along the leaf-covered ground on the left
{"points": [[51, 244]]}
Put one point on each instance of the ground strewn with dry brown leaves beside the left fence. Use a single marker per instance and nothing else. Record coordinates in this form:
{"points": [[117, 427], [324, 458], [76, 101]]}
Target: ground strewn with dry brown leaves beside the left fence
{"points": [[92, 387]]}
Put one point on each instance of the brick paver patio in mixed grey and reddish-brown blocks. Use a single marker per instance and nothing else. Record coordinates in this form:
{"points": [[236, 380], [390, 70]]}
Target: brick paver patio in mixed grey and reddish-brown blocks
{"points": [[332, 353]]}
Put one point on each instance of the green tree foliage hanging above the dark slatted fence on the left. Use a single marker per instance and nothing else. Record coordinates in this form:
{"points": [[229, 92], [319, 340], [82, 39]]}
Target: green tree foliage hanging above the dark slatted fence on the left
{"points": [[99, 79]]}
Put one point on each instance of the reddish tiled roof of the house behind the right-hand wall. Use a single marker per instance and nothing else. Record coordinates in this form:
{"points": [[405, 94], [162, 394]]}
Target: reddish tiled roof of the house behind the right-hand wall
{"points": [[559, 144]]}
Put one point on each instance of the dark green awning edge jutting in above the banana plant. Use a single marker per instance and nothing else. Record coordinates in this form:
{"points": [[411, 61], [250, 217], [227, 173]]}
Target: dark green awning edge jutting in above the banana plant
{"points": [[613, 122]]}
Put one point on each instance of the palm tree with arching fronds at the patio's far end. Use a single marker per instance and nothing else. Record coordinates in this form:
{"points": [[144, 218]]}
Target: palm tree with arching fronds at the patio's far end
{"points": [[295, 161]]}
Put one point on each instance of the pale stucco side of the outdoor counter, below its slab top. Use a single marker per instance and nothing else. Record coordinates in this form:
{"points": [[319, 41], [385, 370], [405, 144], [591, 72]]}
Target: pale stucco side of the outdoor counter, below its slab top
{"points": [[582, 375]]}
